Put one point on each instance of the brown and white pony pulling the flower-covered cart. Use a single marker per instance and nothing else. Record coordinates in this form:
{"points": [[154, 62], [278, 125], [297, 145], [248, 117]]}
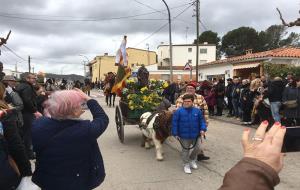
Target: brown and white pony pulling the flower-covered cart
{"points": [[156, 128]]}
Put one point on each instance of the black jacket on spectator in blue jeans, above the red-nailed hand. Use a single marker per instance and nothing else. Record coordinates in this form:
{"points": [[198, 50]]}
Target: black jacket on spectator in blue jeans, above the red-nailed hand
{"points": [[275, 90]]}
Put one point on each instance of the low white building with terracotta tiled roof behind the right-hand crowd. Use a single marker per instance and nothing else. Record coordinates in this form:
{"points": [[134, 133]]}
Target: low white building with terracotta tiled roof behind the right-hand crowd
{"points": [[250, 64]]}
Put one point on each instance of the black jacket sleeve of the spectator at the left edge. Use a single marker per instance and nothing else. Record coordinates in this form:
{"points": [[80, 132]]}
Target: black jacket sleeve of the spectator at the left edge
{"points": [[15, 145]]}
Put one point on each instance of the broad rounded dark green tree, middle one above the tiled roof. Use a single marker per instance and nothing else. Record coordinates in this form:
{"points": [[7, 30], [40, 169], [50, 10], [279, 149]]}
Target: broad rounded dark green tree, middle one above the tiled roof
{"points": [[237, 41]]}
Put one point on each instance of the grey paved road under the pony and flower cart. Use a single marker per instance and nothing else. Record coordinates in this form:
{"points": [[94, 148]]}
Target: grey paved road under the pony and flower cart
{"points": [[131, 167]]}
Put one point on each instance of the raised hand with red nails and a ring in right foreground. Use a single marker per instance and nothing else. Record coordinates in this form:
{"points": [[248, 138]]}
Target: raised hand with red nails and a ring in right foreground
{"points": [[265, 146]]}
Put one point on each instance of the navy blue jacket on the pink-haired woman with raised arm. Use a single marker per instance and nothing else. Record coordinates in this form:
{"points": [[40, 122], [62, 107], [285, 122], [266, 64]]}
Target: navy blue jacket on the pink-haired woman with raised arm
{"points": [[65, 148]]}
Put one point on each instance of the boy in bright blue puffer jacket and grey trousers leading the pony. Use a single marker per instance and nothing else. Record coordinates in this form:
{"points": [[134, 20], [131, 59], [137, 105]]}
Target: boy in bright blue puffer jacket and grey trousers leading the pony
{"points": [[188, 125]]}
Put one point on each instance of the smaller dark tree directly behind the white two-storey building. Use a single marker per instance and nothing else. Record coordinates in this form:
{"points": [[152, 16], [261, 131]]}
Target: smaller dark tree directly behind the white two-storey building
{"points": [[211, 38]]}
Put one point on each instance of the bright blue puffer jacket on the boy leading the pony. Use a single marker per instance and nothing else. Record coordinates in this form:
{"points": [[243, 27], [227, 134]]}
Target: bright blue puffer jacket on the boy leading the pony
{"points": [[187, 123]]}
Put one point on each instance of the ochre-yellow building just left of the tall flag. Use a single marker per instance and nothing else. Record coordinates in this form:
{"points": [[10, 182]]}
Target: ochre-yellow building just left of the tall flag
{"points": [[101, 65]]}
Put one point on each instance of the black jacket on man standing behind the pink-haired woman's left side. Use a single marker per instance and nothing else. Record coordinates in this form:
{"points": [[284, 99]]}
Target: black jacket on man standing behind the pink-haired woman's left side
{"points": [[28, 95]]}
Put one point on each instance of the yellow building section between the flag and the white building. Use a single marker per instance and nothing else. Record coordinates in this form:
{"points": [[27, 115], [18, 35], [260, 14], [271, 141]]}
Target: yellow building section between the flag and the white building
{"points": [[137, 57]]}
